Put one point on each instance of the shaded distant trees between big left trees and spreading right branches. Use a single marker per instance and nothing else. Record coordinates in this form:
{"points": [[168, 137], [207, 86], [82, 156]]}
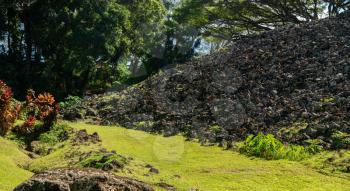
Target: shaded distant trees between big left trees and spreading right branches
{"points": [[172, 42]]}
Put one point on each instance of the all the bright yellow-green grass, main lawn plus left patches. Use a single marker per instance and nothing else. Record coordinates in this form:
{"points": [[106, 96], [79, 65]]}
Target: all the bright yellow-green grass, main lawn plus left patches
{"points": [[185, 165]]}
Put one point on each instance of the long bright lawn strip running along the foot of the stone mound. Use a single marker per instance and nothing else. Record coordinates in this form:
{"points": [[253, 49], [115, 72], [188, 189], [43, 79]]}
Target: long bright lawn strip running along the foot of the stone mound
{"points": [[187, 165]]}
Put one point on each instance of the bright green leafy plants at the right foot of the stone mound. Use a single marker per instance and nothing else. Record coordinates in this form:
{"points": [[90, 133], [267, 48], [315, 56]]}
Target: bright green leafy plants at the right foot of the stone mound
{"points": [[268, 147]]}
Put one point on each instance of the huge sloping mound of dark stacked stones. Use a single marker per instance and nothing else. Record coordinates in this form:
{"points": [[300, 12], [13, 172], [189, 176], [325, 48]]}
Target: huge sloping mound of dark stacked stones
{"points": [[262, 83]]}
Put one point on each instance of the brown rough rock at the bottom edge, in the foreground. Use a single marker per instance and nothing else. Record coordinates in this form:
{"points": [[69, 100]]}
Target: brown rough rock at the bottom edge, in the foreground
{"points": [[80, 180]]}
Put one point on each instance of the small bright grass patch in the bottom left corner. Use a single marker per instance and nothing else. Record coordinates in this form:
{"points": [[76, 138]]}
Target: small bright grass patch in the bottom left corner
{"points": [[11, 158]]}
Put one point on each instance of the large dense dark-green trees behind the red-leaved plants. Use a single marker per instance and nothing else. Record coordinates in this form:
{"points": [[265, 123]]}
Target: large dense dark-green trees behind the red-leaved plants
{"points": [[70, 45]]}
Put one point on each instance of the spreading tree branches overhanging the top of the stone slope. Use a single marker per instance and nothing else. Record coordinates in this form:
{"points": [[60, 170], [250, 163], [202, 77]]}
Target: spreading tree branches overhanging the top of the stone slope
{"points": [[226, 19]]}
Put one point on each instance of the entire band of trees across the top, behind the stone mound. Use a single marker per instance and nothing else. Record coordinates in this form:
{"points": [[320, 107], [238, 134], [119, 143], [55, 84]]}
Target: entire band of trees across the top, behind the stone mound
{"points": [[69, 47]]}
